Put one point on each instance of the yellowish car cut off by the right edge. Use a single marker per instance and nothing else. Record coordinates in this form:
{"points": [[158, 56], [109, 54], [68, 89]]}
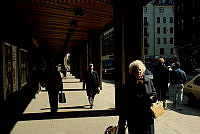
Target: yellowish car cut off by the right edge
{"points": [[192, 90]]}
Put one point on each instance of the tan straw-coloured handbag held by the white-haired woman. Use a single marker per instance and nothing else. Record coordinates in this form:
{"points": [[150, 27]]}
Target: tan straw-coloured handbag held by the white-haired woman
{"points": [[157, 109]]}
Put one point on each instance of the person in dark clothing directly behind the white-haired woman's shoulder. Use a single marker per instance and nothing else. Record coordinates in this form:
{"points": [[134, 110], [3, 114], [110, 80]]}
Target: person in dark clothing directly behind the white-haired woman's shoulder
{"points": [[161, 80]]}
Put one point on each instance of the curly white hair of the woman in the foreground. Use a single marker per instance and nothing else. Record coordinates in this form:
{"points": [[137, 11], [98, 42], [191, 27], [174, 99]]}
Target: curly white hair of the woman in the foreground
{"points": [[136, 63]]}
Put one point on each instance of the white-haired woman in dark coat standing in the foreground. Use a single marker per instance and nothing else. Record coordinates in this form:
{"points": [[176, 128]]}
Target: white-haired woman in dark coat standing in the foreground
{"points": [[138, 94]]}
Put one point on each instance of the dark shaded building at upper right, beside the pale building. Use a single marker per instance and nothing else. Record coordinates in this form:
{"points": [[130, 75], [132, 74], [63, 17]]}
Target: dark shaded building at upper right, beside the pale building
{"points": [[187, 33]]}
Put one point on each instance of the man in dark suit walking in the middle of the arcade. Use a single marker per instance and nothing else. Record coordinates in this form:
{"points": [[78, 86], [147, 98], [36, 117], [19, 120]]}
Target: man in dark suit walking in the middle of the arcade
{"points": [[91, 81]]}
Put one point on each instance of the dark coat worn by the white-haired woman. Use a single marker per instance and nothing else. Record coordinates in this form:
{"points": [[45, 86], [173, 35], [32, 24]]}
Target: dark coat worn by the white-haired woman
{"points": [[135, 104]]}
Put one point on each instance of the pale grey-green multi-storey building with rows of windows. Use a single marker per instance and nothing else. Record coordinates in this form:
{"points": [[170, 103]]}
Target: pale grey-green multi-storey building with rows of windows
{"points": [[158, 22]]}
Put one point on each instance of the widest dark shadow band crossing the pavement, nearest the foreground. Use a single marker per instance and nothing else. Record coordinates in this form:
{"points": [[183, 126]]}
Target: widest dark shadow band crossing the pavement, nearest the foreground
{"points": [[61, 115]]}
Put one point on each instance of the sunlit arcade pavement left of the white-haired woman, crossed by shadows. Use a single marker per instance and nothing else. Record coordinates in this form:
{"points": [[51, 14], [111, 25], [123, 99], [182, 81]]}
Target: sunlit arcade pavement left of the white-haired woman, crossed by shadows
{"points": [[74, 117]]}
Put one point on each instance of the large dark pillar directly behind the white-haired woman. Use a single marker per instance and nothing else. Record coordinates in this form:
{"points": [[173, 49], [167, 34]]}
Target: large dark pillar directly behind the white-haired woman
{"points": [[128, 32]]}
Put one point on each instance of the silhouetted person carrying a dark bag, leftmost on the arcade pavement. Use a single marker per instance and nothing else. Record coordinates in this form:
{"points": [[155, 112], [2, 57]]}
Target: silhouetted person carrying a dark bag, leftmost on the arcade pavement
{"points": [[53, 84]]}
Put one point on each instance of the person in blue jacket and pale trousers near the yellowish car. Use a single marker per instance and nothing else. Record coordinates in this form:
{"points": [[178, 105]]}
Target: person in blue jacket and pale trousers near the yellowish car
{"points": [[177, 80]]}
